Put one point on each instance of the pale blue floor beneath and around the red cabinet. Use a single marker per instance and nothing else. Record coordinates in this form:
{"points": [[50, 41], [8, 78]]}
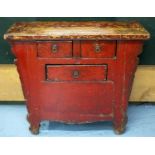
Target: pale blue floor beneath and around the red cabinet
{"points": [[13, 124]]}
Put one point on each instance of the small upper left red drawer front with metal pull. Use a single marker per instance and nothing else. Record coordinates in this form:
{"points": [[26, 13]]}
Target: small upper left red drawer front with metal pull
{"points": [[55, 49]]}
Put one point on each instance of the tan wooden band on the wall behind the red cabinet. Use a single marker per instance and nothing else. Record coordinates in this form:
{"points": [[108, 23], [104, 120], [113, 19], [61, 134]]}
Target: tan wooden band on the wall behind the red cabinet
{"points": [[143, 88]]}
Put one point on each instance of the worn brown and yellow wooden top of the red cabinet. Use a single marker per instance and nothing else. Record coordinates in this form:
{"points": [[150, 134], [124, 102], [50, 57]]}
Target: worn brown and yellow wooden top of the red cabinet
{"points": [[77, 30]]}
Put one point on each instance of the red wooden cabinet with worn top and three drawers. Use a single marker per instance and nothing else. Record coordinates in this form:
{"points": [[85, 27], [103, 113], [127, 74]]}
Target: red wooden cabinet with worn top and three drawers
{"points": [[77, 72]]}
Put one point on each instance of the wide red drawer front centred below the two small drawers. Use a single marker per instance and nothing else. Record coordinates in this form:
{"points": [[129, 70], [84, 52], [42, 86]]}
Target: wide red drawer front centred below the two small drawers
{"points": [[76, 72]]}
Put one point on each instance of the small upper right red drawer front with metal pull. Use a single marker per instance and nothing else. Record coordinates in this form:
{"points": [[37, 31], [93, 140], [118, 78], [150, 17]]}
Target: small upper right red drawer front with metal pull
{"points": [[98, 49]]}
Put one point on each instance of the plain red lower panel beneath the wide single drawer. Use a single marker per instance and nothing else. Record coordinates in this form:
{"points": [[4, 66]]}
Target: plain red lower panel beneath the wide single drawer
{"points": [[64, 98]]}
